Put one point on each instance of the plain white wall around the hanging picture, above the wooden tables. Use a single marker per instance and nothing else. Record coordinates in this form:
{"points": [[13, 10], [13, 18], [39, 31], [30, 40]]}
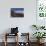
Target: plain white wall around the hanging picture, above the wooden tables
{"points": [[24, 24]]}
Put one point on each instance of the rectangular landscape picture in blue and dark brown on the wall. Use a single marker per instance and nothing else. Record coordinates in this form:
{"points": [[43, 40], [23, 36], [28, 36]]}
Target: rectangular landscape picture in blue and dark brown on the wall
{"points": [[17, 12]]}
